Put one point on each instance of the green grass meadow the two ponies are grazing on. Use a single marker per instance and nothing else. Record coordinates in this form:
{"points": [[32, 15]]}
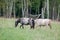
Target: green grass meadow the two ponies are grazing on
{"points": [[9, 32]]}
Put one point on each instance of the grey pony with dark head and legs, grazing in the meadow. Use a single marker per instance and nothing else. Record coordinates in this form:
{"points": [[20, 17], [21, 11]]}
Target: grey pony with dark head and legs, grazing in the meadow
{"points": [[25, 21]]}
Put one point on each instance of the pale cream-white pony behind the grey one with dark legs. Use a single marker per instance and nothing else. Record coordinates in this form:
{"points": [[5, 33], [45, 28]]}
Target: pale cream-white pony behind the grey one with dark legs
{"points": [[43, 22]]}
